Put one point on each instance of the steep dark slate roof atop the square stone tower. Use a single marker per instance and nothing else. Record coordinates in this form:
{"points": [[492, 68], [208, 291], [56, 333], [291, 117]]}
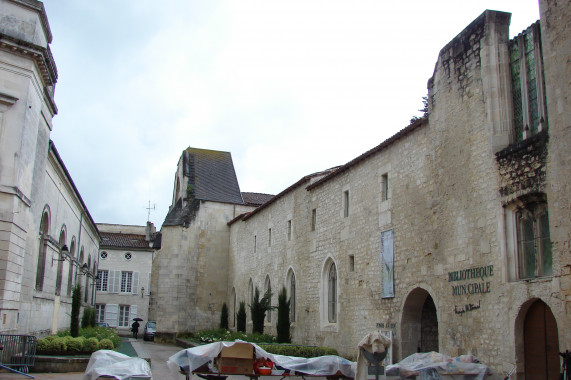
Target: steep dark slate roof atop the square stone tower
{"points": [[211, 175]]}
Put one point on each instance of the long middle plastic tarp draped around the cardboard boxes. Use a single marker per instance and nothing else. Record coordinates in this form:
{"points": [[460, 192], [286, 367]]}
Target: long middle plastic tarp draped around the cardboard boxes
{"points": [[193, 358]]}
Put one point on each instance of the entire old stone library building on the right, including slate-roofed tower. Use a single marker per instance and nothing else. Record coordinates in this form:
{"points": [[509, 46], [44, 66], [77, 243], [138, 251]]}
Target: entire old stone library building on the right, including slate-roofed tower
{"points": [[453, 235]]}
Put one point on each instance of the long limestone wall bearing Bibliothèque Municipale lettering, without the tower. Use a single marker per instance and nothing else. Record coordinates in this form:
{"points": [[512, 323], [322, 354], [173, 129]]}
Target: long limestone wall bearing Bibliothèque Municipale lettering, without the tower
{"points": [[446, 208]]}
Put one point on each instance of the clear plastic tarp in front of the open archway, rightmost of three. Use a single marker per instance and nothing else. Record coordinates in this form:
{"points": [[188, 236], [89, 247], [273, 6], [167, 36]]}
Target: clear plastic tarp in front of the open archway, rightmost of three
{"points": [[426, 363]]}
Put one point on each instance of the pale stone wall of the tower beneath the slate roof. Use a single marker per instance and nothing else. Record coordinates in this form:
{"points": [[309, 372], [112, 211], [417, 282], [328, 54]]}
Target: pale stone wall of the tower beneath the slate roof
{"points": [[188, 282]]}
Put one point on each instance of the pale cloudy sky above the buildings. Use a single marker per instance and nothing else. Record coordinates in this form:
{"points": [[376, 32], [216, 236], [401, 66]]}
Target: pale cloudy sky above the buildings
{"points": [[288, 87]]}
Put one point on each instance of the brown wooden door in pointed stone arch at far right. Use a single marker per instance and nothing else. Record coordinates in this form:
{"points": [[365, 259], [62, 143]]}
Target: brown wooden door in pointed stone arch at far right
{"points": [[540, 343]]}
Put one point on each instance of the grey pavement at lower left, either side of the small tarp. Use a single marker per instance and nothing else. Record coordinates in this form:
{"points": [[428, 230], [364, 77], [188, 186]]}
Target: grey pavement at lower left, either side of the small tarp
{"points": [[158, 353]]}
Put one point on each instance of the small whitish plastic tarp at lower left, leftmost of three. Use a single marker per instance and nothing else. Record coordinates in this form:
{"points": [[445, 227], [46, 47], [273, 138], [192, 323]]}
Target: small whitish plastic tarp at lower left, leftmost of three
{"points": [[120, 366]]}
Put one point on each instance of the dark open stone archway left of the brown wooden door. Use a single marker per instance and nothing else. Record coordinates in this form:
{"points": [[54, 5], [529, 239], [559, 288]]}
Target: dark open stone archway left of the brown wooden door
{"points": [[419, 325]]}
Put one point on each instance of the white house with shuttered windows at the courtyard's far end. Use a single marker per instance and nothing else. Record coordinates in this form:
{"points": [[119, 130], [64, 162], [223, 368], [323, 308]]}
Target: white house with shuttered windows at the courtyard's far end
{"points": [[124, 273]]}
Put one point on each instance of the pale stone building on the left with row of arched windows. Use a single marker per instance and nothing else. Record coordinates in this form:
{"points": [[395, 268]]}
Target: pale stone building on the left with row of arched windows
{"points": [[48, 240]]}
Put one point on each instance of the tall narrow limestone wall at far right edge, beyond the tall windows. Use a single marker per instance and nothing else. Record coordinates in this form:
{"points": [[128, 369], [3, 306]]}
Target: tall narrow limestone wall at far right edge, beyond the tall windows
{"points": [[555, 27]]}
